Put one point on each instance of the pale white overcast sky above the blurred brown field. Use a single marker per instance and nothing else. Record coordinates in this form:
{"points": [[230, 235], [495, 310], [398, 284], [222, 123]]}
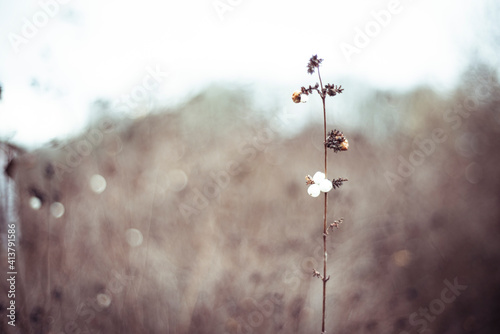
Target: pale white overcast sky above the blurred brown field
{"points": [[57, 57]]}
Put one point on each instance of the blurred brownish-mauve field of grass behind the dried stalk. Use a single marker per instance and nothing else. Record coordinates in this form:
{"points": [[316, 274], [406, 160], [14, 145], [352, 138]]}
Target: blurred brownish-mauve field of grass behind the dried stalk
{"points": [[205, 225]]}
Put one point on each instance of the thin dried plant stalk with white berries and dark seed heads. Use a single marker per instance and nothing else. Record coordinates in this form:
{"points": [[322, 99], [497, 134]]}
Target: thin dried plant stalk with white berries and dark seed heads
{"points": [[334, 140]]}
